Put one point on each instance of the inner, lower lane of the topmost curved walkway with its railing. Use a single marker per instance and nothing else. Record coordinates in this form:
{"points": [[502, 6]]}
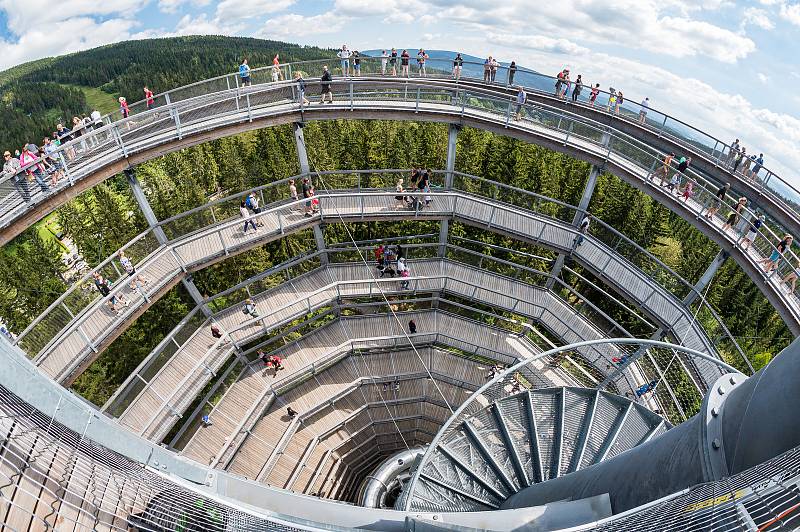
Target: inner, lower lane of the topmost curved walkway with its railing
{"points": [[440, 101]]}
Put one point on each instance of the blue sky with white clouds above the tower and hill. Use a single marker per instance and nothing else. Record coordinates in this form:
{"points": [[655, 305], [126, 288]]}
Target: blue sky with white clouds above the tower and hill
{"points": [[727, 67]]}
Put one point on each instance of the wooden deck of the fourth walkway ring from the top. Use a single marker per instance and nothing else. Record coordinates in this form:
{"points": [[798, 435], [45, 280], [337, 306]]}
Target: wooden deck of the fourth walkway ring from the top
{"points": [[255, 389]]}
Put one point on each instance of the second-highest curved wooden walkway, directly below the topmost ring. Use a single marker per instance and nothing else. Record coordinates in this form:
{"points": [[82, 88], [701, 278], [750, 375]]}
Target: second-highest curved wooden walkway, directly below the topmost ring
{"points": [[77, 345]]}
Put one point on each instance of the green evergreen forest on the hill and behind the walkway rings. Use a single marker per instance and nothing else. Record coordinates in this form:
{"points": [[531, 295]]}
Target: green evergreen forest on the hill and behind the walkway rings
{"points": [[99, 221]]}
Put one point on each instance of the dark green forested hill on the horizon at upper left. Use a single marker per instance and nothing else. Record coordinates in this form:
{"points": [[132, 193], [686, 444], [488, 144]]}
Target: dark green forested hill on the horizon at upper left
{"points": [[36, 96]]}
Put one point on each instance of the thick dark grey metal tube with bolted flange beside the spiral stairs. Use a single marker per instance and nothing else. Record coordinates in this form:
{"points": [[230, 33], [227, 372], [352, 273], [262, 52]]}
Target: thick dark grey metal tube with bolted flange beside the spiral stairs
{"points": [[742, 424]]}
